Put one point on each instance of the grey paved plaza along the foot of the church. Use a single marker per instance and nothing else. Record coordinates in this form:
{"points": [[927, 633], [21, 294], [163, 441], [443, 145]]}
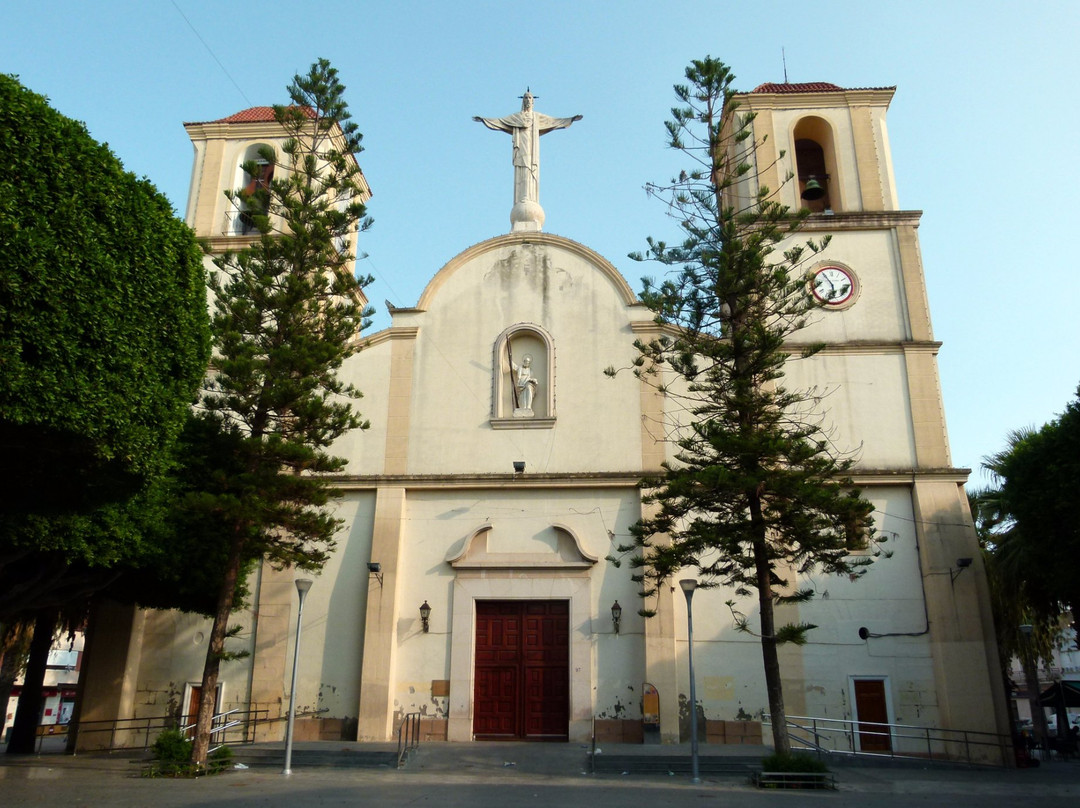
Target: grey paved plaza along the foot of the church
{"points": [[503, 776]]}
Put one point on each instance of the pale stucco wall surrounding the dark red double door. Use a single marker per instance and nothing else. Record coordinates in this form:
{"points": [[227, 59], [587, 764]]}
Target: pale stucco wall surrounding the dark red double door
{"points": [[438, 526]]}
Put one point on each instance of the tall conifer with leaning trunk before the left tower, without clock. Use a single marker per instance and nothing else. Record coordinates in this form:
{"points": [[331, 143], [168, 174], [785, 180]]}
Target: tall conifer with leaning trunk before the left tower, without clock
{"points": [[288, 313]]}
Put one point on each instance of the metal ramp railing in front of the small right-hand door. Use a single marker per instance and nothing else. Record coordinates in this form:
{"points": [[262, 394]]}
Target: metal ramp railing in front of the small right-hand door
{"points": [[906, 742]]}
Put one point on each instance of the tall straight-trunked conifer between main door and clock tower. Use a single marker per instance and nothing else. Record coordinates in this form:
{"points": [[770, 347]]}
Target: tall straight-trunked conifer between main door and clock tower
{"points": [[757, 493]]}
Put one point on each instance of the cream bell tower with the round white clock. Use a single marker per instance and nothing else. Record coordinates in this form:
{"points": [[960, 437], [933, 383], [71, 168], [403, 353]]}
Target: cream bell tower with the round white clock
{"points": [[827, 150]]}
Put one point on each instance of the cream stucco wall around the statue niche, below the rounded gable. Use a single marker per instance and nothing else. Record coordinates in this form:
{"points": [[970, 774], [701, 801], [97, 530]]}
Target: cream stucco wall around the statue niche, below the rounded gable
{"points": [[557, 288]]}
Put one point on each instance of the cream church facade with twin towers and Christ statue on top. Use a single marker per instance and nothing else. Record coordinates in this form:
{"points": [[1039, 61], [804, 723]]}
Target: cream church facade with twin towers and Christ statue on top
{"points": [[502, 468]]}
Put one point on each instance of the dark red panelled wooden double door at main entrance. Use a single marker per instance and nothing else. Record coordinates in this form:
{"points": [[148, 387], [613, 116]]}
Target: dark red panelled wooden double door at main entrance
{"points": [[523, 674]]}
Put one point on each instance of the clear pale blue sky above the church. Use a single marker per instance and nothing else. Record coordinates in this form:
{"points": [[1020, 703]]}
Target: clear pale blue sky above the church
{"points": [[984, 129]]}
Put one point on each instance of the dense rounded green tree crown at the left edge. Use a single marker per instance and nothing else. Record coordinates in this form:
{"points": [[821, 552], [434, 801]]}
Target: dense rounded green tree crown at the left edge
{"points": [[103, 318]]}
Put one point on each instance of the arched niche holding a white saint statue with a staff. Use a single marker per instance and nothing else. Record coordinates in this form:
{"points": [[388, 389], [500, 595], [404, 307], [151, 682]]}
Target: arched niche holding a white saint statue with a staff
{"points": [[523, 354]]}
